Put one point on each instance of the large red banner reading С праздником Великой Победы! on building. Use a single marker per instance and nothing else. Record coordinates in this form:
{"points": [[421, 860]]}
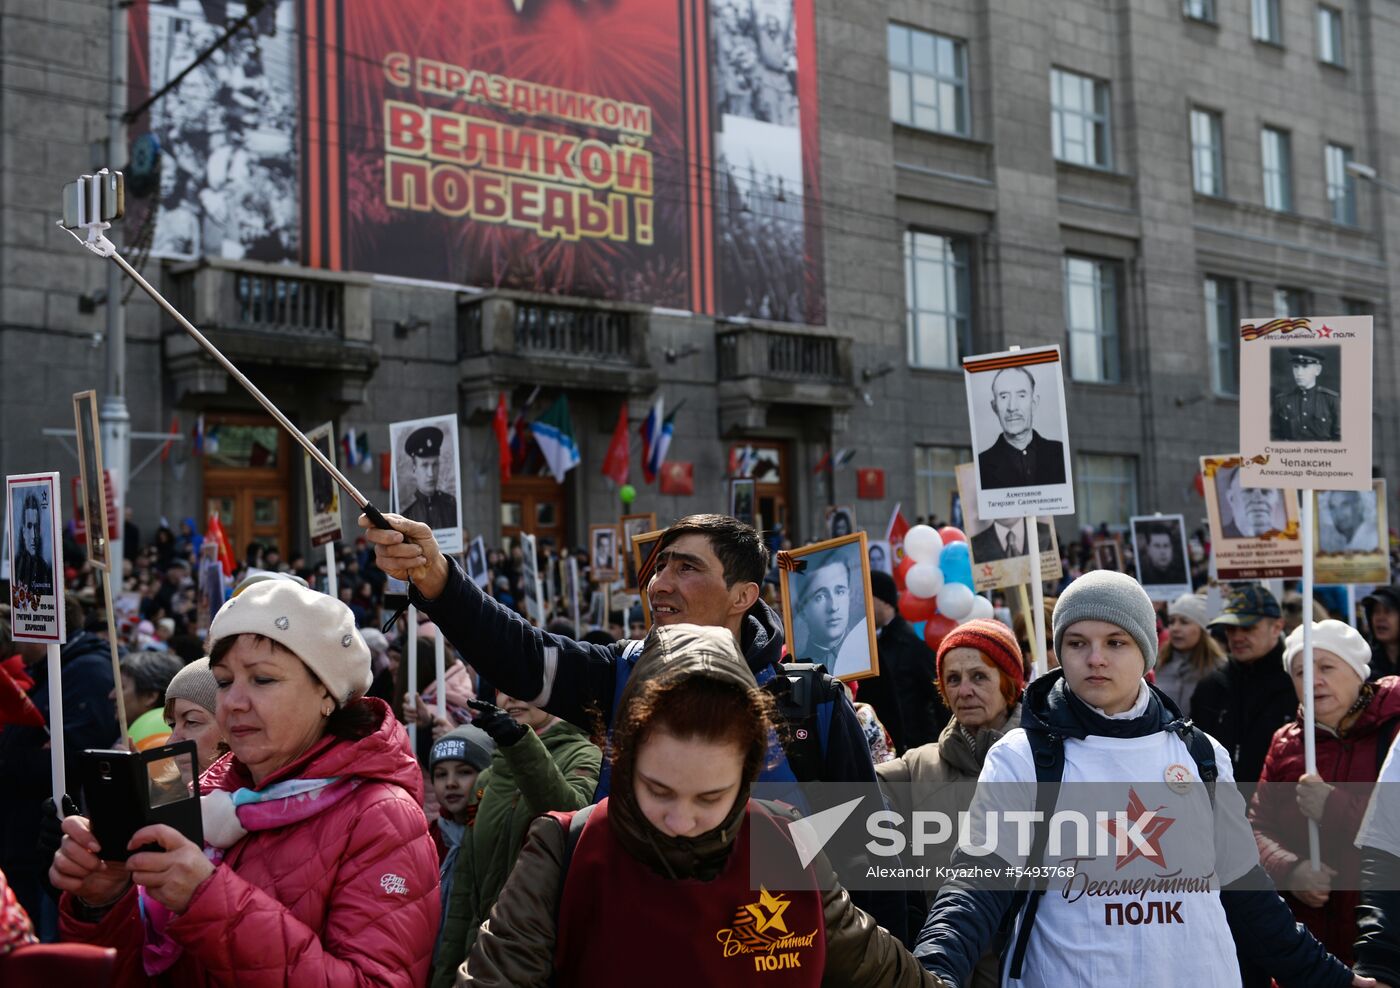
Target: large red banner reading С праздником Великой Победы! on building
{"points": [[661, 152]]}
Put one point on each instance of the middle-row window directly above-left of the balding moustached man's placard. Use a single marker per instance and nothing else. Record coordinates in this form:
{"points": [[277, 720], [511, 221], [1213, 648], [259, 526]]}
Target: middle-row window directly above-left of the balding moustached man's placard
{"points": [[939, 295]]}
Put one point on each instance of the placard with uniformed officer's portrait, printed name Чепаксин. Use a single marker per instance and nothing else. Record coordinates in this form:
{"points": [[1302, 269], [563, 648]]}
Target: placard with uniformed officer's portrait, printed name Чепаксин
{"points": [[1305, 402]]}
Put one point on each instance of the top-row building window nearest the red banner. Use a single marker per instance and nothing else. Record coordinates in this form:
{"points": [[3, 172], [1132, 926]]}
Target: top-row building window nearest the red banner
{"points": [[929, 80]]}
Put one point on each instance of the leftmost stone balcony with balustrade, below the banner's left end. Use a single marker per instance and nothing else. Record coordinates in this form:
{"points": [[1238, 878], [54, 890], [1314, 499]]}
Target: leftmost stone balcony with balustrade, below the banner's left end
{"points": [[278, 316]]}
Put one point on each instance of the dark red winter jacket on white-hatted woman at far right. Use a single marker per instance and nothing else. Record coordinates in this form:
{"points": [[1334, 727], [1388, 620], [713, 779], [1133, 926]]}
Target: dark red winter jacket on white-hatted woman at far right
{"points": [[1354, 756]]}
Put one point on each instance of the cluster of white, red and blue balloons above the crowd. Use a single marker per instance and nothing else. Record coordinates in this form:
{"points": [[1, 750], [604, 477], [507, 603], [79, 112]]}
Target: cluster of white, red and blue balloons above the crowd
{"points": [[934, 583]]}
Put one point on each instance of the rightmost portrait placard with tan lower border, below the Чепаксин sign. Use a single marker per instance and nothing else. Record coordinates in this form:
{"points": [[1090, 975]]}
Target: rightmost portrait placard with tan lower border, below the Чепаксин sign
{"points": [[1352, 537]]}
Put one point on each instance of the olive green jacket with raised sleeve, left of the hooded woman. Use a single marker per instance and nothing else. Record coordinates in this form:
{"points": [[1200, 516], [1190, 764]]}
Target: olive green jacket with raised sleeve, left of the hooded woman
{"points": [[556, 770]]}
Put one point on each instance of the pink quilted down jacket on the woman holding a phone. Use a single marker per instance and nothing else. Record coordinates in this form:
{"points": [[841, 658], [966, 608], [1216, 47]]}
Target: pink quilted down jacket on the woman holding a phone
{"points": [[346, 898]]}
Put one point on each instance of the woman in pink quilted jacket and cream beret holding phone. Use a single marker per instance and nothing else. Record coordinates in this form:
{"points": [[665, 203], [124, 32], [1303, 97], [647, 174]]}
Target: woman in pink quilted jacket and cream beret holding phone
{"points": [[318, 868]]}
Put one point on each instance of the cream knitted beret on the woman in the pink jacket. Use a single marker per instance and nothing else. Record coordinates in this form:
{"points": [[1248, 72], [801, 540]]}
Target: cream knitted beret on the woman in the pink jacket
{"points": [[318, 629]]}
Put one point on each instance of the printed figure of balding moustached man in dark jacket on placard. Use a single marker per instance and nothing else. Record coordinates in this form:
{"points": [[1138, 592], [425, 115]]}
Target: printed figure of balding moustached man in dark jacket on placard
{"points": [[1020, 457]]}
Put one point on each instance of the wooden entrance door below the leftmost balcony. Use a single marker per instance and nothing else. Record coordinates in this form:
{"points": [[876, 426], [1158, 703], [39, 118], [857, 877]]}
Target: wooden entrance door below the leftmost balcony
{"points": [[247, 481]]}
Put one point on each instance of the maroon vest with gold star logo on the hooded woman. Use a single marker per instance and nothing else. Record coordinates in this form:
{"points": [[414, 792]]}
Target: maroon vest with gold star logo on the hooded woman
{"points": [[621, 923]]}
